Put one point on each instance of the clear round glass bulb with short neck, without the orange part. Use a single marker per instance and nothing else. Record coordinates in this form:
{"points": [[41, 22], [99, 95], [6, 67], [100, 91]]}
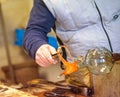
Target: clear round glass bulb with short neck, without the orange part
{"points": [[98, 60]]}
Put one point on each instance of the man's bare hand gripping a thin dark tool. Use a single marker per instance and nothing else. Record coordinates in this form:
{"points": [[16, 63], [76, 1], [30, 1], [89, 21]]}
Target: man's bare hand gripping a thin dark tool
{"points": [[44, 54]]}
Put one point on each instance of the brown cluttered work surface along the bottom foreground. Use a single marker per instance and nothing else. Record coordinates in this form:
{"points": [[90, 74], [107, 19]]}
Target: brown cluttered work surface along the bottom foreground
{"points": [[40, 88]]}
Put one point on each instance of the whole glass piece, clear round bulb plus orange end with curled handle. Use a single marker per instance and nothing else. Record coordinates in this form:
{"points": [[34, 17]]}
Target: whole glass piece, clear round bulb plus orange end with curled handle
{"points": [[97, 60]]}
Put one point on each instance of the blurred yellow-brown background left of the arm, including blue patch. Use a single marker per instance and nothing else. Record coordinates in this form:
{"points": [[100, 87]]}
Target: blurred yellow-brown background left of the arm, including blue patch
{"points": [[15, 64]]}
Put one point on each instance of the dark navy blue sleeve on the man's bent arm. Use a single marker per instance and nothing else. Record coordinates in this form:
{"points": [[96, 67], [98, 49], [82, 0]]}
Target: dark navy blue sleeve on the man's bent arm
{"points": [[40, 23]]}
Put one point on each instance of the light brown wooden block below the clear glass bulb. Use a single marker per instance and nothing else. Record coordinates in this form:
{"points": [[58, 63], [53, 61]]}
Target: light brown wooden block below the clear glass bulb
{"points": [[108, 85]]}
